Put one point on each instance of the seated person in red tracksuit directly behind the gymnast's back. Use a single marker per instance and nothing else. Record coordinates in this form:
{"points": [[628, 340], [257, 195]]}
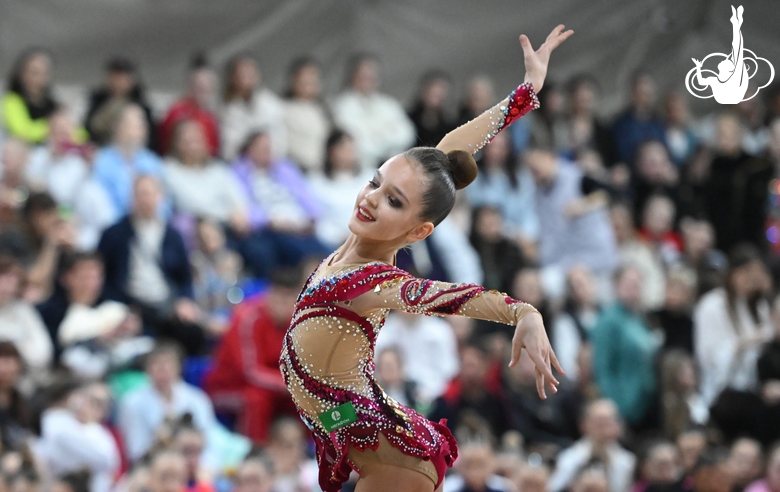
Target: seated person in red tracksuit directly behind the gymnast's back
{"points": [[246, 378]]}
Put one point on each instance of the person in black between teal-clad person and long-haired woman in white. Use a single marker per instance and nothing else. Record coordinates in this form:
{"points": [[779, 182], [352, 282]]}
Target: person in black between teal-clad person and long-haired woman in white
{"points": [[675, 317]]}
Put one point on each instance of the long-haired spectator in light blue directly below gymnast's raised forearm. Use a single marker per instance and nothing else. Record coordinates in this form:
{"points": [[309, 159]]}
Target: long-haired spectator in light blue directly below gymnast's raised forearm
{"points": [[502, 184]]}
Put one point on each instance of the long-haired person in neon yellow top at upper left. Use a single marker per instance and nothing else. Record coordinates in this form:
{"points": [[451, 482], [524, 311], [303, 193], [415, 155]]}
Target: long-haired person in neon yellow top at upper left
{"points": [[29, 103]]}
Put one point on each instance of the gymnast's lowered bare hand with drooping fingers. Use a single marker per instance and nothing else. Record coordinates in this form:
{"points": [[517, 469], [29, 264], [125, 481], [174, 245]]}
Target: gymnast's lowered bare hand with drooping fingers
{"points": [[530, 335]]}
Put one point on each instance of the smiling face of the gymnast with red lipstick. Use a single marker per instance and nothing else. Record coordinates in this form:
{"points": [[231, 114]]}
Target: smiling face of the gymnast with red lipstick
{"points": [[388, 207]]}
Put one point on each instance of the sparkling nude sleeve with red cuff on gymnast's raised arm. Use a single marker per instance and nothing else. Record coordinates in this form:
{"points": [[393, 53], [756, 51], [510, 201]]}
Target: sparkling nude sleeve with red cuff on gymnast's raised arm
{"points": [[478, 132]]}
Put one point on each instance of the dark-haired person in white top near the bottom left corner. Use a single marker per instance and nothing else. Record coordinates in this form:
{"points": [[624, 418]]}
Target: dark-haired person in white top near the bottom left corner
{"points": [[73, 438]]}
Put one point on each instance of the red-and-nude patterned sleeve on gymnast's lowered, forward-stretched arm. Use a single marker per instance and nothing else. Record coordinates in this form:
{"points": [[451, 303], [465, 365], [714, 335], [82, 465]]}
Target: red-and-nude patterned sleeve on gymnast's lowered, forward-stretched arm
{"points": [[394, 288]]}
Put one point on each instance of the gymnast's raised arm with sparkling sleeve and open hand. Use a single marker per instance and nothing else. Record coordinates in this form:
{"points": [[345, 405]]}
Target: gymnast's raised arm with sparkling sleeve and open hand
{"points": [[475, 134]]}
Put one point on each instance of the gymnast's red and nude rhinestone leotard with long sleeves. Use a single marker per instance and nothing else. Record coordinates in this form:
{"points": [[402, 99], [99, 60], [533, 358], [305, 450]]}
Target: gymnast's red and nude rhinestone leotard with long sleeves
{"points": [[328, 354]]}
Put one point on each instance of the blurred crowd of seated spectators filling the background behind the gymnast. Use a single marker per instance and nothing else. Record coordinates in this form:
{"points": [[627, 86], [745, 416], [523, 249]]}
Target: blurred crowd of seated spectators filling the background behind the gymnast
{"points": [[150, 258]]}
